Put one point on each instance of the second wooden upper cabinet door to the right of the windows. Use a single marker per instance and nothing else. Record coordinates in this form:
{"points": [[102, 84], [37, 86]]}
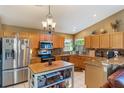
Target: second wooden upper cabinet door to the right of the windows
{"points": [[95, 41]]}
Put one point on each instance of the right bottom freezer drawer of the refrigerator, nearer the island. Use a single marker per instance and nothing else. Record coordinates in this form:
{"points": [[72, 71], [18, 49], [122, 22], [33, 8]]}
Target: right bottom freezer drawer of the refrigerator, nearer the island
{"points": [[21, 75]]}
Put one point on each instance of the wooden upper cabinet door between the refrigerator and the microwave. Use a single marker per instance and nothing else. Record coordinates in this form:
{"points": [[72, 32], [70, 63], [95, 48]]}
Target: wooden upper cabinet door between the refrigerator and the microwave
{"points": [[34, 40]]}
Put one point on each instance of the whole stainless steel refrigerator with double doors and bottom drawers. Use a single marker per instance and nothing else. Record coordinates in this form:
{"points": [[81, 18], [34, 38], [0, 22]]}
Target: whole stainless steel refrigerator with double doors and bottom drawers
{"points": [[15, 59]]}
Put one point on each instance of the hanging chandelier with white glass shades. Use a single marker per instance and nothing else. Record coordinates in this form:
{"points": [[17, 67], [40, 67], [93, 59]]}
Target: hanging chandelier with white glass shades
{"points": [[49, 25]]}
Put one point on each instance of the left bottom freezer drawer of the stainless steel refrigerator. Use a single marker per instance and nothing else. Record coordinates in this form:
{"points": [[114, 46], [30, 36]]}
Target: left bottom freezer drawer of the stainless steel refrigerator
{"points": [[8, 77]]}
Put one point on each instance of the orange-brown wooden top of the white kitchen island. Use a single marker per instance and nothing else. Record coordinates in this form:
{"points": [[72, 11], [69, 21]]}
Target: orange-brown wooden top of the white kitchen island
{"points": [[44, 67]]}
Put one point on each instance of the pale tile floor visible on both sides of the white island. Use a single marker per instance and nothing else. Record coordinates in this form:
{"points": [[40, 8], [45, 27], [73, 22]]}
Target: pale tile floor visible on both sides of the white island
{"points": [[79, 81]]}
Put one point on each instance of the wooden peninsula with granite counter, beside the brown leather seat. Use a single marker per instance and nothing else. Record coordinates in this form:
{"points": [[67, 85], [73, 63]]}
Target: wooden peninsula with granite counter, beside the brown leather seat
{"points": [[98, 70]]}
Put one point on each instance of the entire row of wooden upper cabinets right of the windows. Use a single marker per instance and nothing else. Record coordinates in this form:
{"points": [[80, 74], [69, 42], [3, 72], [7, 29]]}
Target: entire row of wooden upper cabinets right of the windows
{"points": [[113, 40]]}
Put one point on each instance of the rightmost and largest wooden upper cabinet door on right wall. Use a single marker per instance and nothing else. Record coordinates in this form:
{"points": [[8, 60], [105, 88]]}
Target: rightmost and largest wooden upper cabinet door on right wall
{"points": [[117, 40]]}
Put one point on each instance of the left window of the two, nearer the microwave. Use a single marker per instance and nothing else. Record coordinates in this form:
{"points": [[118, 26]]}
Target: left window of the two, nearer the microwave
{"points": [[68, 43]]}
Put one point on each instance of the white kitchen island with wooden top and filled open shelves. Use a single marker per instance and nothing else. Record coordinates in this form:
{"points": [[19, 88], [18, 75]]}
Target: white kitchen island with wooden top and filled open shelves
{"points": [[58, 75]]}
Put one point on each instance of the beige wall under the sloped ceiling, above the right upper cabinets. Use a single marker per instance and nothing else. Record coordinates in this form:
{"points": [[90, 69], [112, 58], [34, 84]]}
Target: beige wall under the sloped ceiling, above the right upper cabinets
{"points": [[104, 24]]}
